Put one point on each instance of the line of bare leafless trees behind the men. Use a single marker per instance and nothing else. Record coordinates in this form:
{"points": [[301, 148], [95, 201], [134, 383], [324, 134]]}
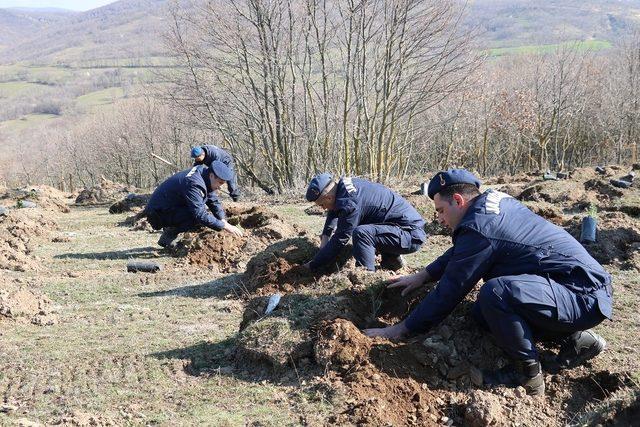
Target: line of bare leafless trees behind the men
{"points": [[378, 89]]}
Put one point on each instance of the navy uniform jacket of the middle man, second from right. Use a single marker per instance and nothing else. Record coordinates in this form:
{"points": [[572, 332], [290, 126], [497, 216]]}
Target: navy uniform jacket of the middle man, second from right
{"points": [[360, 202]]}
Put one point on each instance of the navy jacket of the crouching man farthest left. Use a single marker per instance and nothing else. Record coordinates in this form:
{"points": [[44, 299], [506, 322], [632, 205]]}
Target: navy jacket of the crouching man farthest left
{"points": [[189, 189]]}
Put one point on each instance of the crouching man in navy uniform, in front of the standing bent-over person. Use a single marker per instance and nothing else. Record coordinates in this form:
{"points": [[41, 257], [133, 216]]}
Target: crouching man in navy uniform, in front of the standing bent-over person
{"points": [[188, 200]]}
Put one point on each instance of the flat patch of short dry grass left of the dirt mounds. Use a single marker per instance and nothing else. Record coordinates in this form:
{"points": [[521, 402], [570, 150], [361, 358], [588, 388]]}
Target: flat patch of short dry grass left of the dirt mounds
{"points": [[133, 347]]}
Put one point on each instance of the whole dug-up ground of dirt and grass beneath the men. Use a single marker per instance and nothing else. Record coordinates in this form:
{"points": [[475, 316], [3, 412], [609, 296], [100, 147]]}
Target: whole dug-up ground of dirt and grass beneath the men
{"points": [[83, 342]]}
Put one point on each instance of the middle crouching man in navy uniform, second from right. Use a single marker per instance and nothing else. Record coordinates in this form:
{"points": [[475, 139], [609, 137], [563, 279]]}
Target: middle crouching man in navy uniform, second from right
{"points": [[375, 218]]}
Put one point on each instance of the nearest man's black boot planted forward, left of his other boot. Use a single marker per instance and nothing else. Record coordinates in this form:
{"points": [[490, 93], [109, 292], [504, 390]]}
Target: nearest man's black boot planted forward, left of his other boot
{"points": [[527, 374]]}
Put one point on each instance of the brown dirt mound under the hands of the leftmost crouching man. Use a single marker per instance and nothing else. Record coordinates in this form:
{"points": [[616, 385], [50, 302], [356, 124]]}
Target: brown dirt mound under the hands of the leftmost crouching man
{"points": [[224, 252]]}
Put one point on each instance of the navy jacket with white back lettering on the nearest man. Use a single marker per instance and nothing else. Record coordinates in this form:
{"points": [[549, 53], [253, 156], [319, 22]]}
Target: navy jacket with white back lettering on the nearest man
{"points": [[498, 236]]}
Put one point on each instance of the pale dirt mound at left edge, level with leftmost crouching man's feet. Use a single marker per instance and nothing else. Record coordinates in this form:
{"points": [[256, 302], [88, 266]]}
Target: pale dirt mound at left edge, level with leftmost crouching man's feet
{"points": [[18, 232]]}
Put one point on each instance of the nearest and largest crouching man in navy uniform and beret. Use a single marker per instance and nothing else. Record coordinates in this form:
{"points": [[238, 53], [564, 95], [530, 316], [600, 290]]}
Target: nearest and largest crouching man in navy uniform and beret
{"points": [[538, 281]]}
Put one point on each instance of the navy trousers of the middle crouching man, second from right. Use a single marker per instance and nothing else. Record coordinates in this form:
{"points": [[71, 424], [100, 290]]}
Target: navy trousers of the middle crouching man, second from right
{"points": [[386, 239]]}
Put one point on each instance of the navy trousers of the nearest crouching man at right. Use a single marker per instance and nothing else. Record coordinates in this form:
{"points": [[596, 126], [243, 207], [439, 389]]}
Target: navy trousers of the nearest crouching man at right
{"points": [[520, 309]]}
